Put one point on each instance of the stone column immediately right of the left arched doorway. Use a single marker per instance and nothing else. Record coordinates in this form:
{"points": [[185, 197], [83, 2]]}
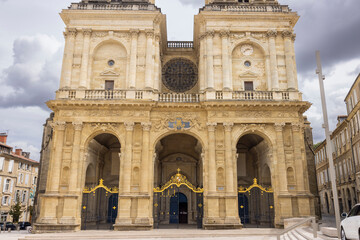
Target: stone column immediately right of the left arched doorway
{"points": [[128, 157]]}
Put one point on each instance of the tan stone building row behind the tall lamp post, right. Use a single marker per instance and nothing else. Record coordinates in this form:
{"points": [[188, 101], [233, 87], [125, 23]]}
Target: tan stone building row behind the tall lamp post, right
{"points": [[346, 145]]}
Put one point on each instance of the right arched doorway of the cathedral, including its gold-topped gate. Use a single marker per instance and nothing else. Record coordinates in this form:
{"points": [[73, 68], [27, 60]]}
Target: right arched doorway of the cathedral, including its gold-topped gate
{"points": [[256, 199]]}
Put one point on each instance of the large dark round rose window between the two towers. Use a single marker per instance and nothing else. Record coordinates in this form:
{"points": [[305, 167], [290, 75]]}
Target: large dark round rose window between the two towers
{"points": [[180, 75]]}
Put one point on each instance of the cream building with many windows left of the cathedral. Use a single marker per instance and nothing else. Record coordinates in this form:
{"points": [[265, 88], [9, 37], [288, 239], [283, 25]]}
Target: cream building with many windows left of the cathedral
{"points": [[18, 179]]}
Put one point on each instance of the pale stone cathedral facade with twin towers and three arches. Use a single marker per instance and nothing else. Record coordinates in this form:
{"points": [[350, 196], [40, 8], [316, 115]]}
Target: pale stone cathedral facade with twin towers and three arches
{"points": [[147, 132]]}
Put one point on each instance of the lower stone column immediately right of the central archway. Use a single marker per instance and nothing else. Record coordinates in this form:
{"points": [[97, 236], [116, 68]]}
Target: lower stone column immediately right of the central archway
{"points": [[212, 158]]}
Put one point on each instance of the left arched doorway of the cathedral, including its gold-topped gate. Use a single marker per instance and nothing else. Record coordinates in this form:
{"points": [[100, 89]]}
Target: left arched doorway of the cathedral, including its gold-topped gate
{"points": [[100, 194]]}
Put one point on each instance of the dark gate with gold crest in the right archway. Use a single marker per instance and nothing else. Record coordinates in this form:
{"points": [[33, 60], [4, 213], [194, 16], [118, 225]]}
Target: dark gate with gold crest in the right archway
{"points": [[256, 205]]}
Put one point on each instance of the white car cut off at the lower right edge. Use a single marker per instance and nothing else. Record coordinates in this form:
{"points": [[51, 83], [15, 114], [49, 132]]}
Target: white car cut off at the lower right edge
{"points": [[350, 226]]}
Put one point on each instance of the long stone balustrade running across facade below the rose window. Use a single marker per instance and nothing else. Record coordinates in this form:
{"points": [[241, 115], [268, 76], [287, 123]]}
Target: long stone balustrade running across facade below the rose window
{"points": [[72, 94]]}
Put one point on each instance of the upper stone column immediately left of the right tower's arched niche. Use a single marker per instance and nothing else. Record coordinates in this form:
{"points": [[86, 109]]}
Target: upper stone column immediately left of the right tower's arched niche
{"points": [[227, 84]]}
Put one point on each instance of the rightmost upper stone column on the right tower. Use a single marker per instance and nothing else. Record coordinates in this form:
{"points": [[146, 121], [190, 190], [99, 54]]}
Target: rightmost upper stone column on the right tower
{"points": [[287, 35]]}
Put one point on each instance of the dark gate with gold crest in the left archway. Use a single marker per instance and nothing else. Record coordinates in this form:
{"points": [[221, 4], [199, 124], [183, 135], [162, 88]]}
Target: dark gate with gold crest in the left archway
{"points": [[99, 206]]}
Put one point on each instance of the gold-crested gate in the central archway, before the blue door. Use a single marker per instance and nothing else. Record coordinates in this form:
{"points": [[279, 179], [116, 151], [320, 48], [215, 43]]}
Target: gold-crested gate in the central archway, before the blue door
{"points": [[171, 190]]}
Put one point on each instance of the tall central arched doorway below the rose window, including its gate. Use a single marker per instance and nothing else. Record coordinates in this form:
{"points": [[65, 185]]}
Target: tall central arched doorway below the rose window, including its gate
{"points": [[178, 160]]}
